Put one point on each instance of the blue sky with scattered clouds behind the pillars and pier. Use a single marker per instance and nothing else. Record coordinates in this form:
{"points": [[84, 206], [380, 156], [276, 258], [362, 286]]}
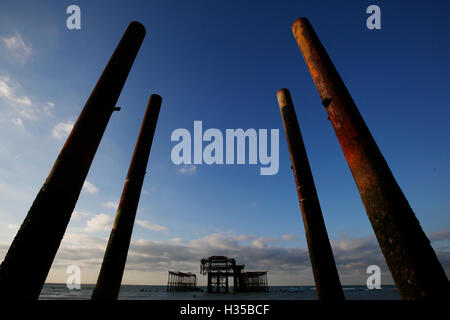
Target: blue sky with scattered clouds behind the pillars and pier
{"points": [[222, 62]]}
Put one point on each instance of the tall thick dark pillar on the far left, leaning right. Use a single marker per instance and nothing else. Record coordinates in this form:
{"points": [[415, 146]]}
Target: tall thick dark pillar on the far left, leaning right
{"points": [[28, 261]]}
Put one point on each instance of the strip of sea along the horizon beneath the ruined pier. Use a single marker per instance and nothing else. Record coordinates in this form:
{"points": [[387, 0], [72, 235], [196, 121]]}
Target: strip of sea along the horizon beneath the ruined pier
{"points": [[153, 292]]}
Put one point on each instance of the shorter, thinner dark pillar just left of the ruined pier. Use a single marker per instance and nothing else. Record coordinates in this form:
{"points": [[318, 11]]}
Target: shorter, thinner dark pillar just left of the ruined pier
{"points": [[111, 272]]}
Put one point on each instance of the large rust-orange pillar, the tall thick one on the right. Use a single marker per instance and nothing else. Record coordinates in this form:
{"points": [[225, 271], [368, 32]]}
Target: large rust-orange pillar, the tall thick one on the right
{"points": [[407, 250]]}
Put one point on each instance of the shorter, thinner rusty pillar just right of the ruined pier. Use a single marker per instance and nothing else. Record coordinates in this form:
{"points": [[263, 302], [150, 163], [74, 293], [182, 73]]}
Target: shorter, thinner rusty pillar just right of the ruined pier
{"points": [[325, 273]]}
